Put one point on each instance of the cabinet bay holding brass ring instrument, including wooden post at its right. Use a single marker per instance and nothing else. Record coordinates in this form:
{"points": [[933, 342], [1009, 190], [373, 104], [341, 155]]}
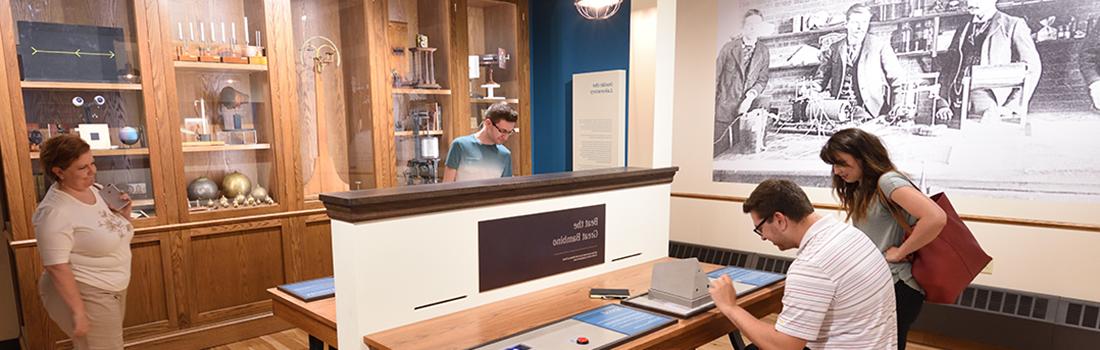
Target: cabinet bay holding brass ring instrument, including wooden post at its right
{"points": [[343, 143]]}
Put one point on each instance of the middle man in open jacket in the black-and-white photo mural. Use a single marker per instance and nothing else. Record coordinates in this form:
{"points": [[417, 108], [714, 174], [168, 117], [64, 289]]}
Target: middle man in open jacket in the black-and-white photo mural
{"points": [[861, 69]]}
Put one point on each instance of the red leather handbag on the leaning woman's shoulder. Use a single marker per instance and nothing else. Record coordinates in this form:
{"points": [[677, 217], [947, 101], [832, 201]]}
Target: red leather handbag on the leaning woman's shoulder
{"points": [[947, 266]]}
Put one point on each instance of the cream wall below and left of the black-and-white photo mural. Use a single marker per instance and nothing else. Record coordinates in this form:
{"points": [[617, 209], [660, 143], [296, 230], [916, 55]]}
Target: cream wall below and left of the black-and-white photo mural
{"points": [[1050, 261]]}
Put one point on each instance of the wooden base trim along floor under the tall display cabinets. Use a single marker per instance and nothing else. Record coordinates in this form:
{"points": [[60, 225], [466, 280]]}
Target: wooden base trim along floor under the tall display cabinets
{"points": [[215, 334]]}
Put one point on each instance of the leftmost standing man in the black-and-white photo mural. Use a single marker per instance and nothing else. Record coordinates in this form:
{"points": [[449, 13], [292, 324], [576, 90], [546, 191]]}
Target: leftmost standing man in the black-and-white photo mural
{"points": [[743, 76]]}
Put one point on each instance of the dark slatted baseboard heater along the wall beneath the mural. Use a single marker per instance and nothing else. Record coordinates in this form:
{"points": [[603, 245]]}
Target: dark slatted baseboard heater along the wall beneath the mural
{"points": [[983, 318]]}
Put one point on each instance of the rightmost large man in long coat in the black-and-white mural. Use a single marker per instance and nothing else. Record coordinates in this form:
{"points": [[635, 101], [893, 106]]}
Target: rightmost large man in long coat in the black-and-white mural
{"points": [[991, 38]]}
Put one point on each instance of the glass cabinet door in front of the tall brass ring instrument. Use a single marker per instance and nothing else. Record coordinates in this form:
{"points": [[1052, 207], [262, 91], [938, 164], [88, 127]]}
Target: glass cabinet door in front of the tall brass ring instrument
{"points": [[334, 111]]}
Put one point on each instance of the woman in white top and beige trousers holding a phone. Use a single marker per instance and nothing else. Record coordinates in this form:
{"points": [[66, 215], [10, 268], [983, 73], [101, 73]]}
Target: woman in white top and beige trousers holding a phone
{"points": [[85, 248]]}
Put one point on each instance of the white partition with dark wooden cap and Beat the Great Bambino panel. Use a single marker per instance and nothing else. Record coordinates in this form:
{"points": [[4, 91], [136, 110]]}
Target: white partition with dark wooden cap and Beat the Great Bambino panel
{"points": [[408, 255]]}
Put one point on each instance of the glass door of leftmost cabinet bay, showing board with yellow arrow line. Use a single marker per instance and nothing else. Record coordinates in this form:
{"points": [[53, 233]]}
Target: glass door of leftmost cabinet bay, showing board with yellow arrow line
{"points": [[81, 74]]}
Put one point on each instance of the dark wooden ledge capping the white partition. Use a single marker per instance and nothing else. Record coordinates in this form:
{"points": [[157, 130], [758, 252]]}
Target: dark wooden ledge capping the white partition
{"points": [[388, 203]]}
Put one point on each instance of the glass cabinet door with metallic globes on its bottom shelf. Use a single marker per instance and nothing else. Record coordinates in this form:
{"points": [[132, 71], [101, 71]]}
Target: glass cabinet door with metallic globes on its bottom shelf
{"points": [[224, 102]]}
